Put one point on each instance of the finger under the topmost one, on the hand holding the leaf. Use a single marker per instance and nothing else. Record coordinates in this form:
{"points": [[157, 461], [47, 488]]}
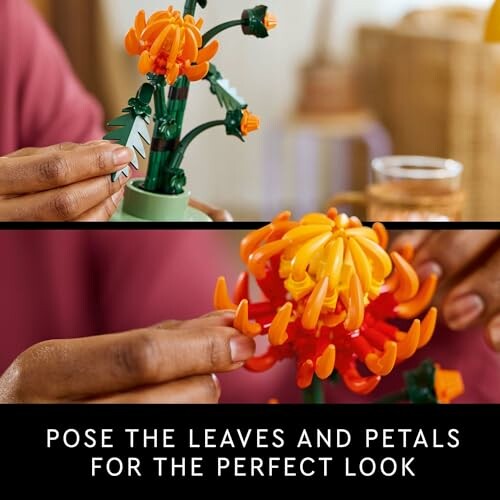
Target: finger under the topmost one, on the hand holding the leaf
{"points": [[62, 204]]}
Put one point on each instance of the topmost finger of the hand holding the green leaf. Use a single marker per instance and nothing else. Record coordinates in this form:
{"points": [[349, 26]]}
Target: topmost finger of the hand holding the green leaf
{"points": [[55, 168]]}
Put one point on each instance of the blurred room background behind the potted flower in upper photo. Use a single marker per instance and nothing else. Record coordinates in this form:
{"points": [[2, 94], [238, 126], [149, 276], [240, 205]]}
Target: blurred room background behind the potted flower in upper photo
{"points": [[338, 83]]}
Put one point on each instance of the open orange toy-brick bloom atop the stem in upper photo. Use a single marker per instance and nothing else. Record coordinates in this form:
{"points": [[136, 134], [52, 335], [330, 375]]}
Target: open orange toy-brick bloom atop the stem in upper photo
{"points": [[171, 45]]}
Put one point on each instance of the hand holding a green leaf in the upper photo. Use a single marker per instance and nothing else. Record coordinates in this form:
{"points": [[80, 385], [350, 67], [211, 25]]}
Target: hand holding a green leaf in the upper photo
{"points": [[66, 182]]}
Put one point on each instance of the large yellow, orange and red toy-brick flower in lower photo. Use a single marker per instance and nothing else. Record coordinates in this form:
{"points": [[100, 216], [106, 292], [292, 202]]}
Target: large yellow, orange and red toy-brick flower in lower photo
{"points": [[331, 291]]}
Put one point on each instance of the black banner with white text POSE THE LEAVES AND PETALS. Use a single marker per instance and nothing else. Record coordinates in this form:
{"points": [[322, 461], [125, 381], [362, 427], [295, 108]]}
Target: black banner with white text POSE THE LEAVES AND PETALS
{"points": [[364, 445]]}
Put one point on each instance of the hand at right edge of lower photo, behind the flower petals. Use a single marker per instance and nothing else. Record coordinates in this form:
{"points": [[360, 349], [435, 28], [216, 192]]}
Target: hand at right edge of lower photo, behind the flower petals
{"points": [[468, 264]]}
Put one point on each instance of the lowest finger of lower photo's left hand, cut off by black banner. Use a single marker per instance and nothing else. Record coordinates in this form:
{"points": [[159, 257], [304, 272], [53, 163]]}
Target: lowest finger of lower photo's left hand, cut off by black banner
{"points": [[193, 390]]}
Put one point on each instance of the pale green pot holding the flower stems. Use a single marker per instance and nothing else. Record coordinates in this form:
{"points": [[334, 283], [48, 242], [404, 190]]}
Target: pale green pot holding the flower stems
{"points": [[141, 206]]}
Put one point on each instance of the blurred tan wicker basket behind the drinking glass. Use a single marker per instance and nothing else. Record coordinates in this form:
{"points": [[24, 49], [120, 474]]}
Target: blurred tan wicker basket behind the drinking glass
{"points": [[436, 87]]}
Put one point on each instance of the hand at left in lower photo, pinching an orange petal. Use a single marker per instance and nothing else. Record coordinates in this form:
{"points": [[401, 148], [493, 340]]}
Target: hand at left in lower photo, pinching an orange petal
{"points": [[170, 363]]}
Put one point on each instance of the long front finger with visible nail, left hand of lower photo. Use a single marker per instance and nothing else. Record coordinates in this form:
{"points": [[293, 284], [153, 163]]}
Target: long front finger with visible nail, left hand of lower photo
{"points": [[85, 368]]}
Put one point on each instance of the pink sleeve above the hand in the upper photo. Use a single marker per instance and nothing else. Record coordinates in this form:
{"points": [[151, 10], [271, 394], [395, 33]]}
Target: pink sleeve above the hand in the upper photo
{"points": [[41, 101]]}
